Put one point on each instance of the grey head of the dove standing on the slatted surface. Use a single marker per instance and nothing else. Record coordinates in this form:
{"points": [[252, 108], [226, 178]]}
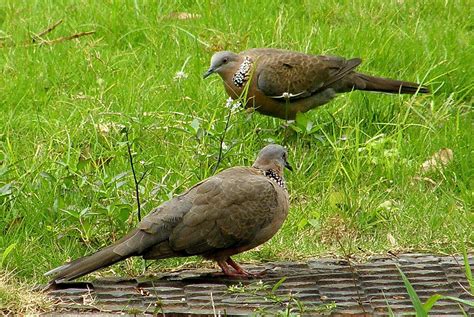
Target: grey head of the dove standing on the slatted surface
{"points": [[273, 157]]}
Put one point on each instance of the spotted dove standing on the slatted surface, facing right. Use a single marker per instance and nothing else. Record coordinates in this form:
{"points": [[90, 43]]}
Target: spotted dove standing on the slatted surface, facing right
{"points": [[226, 214]]}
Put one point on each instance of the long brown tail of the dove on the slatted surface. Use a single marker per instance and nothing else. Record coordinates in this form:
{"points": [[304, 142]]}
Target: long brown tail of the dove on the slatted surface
{"points": [[85, 265]]}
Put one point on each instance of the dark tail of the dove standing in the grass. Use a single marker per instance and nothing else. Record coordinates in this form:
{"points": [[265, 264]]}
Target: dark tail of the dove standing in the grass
{"points": [[371, 83]]}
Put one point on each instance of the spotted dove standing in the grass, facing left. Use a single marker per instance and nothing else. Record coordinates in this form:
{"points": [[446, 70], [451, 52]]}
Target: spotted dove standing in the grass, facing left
{"points": [[281, 83]]}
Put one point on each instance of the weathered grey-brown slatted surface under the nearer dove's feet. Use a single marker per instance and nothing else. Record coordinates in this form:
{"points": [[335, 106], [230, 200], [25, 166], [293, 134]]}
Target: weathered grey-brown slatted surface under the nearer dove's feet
{"points": [[318, 287]]}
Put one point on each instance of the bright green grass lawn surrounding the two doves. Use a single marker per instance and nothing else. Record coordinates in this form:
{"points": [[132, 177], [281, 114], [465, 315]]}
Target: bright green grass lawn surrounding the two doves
{"points": [[65, 183]]}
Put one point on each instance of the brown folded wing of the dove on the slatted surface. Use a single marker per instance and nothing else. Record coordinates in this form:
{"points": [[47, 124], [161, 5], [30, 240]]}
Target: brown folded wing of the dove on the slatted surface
{"points": [[230, 215]]}
